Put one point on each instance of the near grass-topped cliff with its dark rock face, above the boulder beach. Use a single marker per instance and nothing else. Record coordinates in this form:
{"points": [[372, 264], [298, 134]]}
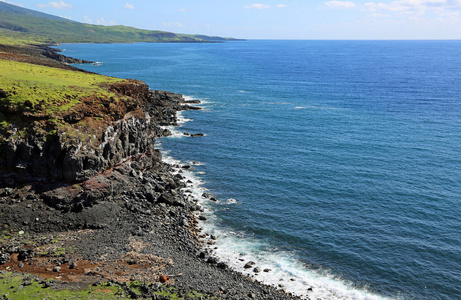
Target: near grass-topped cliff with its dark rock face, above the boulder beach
{"points": [[58, 124]]}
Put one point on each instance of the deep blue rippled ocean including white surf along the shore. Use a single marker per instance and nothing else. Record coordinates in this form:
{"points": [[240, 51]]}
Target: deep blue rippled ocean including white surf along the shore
{"points": [[336, 164]]}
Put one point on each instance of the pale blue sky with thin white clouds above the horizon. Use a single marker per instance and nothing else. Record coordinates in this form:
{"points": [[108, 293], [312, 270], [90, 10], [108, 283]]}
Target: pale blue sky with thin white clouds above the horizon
{"points": [[270, 19]]}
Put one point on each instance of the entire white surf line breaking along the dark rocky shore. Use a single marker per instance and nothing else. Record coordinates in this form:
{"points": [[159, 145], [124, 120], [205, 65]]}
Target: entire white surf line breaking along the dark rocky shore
{"points": [[241, 251]]}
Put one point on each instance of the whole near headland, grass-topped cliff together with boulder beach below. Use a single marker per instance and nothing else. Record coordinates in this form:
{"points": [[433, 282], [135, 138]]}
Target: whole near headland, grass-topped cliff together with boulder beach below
{"points": [[86, 200]]}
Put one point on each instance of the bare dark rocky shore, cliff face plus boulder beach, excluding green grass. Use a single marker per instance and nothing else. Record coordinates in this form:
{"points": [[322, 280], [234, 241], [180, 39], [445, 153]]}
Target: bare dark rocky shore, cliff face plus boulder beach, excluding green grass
{"points": [[108, 210]]}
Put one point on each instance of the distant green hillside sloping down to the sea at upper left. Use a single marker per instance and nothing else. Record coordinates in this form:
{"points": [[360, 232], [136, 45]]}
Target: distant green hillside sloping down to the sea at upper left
{"points": [[31, 26]]}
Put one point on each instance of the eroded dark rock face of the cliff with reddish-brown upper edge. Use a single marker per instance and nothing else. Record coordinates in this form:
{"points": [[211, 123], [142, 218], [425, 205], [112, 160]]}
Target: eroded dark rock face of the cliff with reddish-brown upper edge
{"points": [[99, 134]]}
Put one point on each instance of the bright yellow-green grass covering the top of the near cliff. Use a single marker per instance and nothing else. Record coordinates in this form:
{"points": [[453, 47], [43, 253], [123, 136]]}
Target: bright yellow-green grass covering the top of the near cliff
{"points": [[33, 96]]}
